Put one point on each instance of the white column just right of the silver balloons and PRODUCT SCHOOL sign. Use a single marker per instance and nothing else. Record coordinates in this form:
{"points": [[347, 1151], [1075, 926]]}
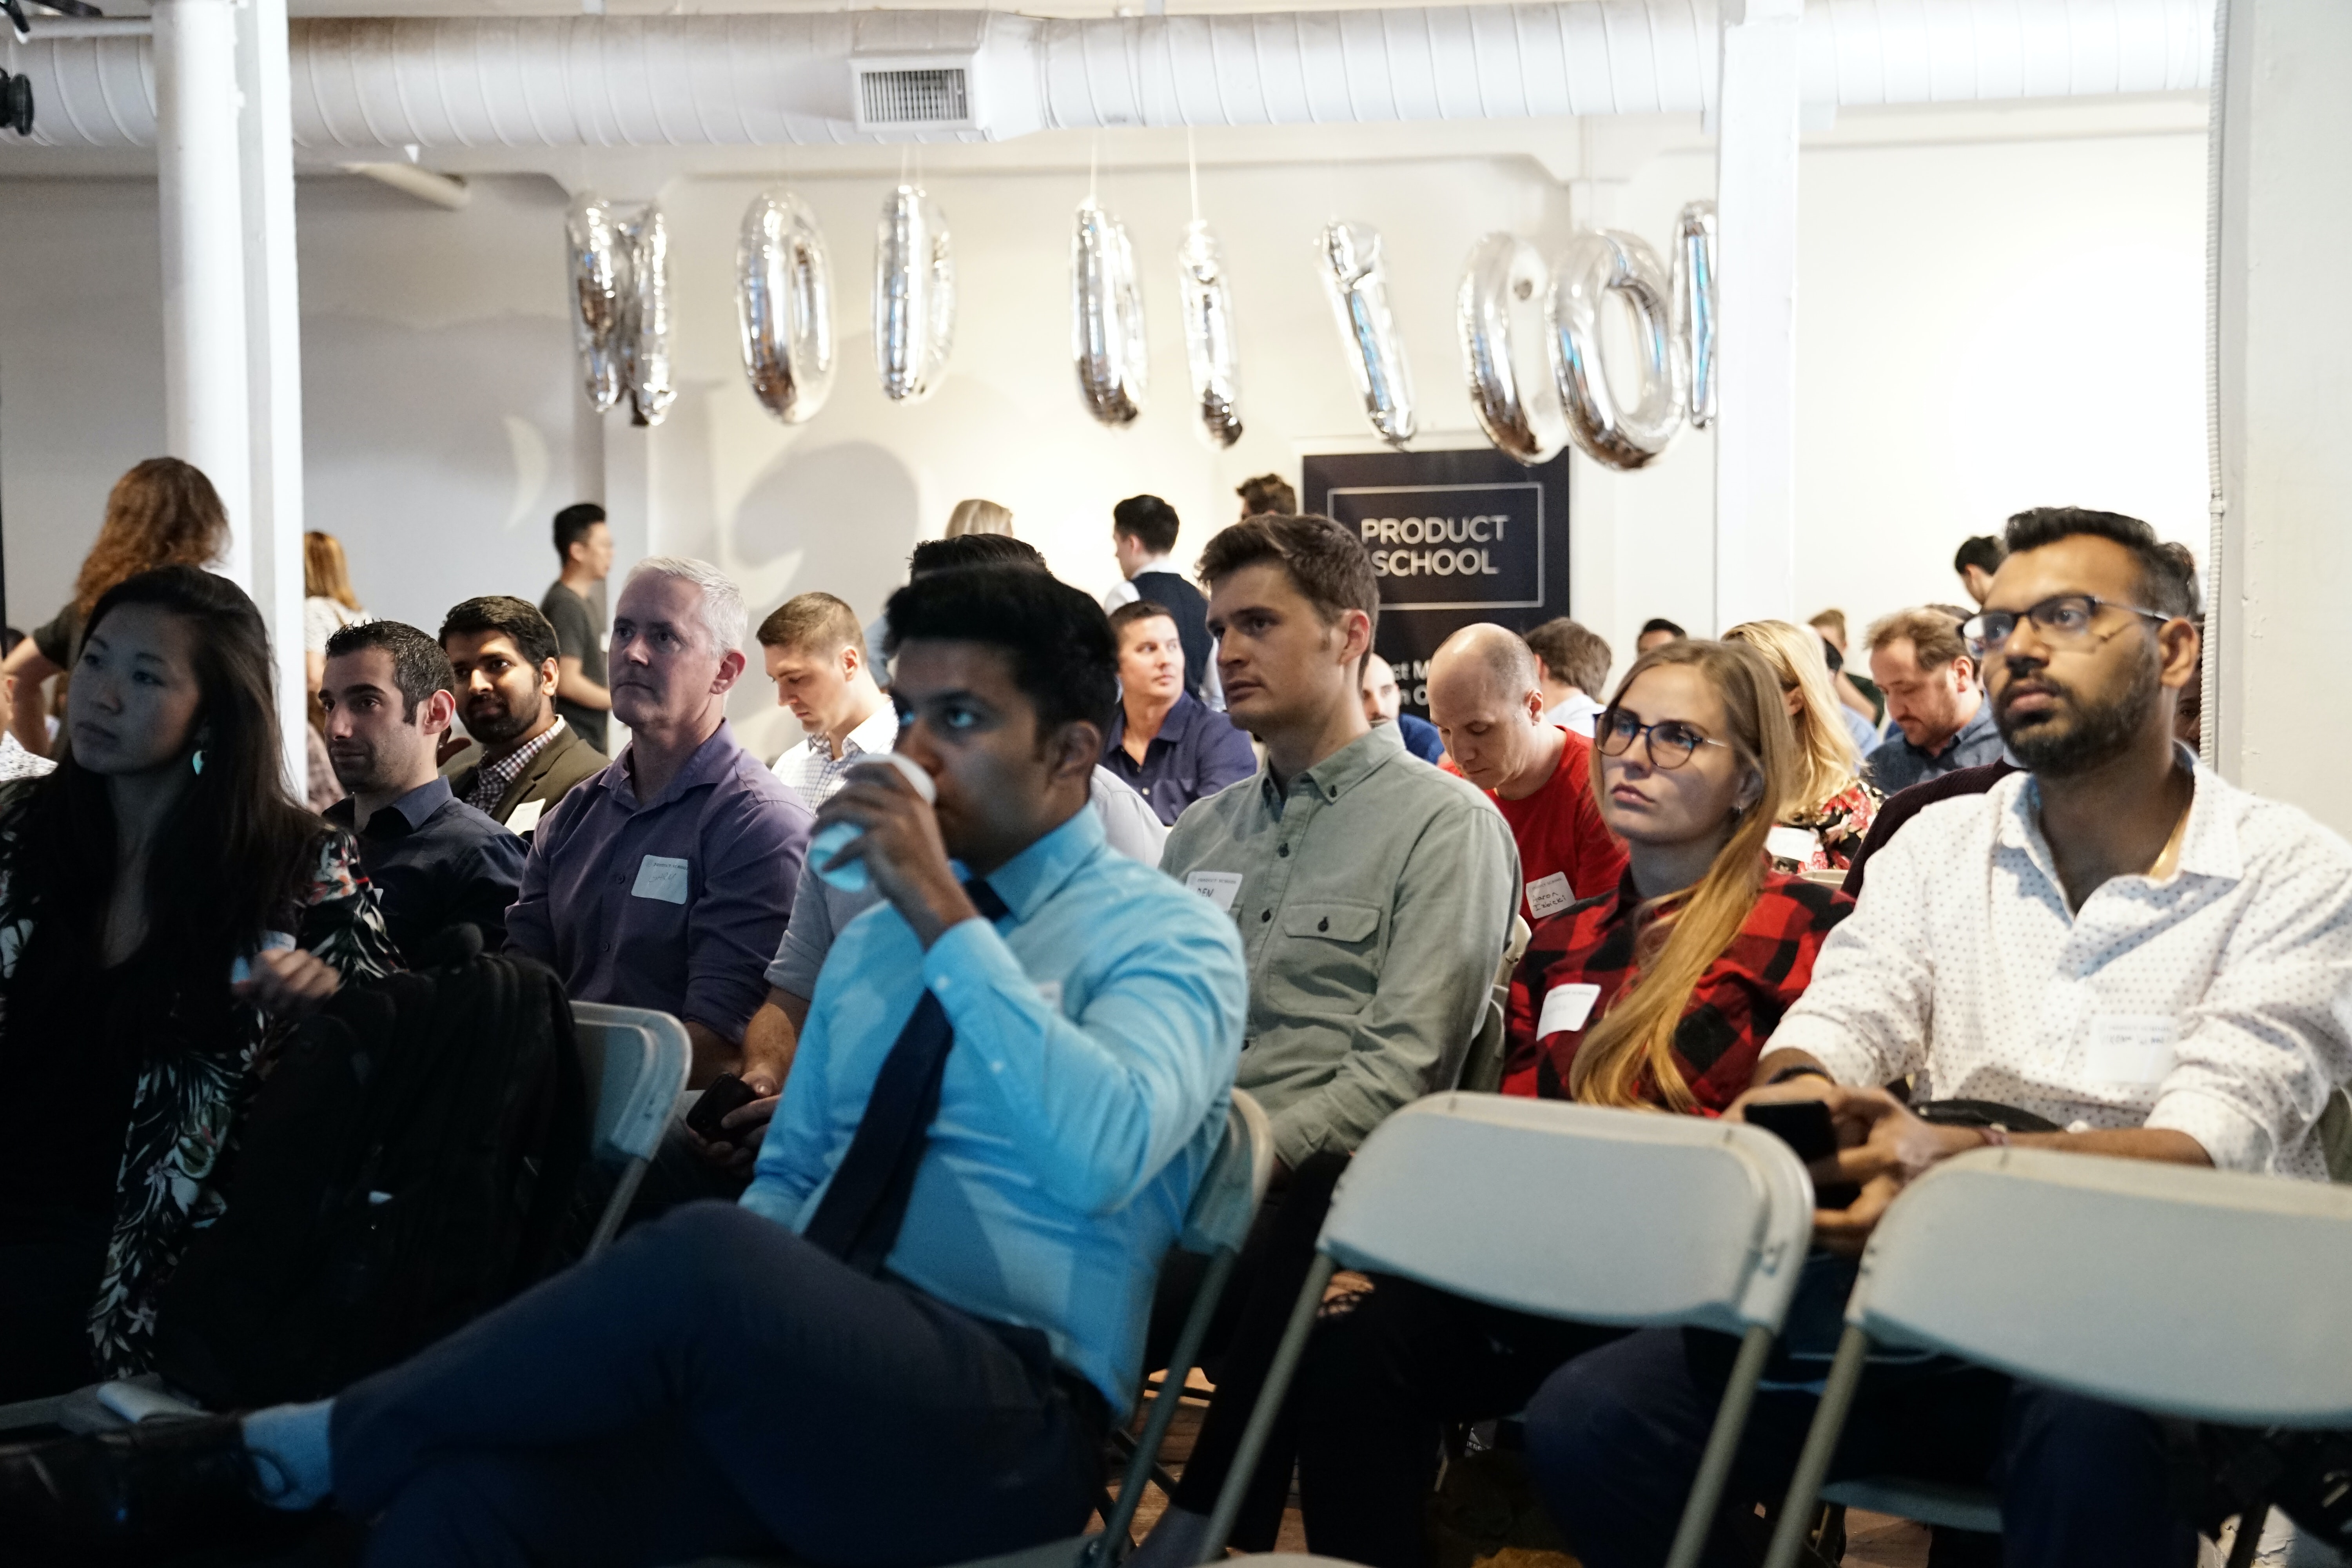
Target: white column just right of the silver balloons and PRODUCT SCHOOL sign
{"points": [[1756, 225]]}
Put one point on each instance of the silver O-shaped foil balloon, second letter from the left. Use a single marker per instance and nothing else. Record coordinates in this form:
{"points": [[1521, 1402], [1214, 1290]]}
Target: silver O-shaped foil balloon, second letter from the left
{"points": [[784, 307]]}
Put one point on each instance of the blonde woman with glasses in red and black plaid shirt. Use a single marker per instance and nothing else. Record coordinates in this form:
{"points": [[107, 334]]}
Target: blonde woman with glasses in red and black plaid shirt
{"points": [[1692, 758]]}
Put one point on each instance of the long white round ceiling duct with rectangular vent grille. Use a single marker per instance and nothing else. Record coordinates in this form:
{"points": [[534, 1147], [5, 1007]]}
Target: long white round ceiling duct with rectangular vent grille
{"points": [[984, 76]]}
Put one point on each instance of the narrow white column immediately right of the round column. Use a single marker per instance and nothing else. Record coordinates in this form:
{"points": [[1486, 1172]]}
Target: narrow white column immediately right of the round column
{"points": [[274, 523]]}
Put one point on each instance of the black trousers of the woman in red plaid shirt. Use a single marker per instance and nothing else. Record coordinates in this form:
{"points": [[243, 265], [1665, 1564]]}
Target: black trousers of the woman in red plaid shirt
{"points": [[1377, 1391]]}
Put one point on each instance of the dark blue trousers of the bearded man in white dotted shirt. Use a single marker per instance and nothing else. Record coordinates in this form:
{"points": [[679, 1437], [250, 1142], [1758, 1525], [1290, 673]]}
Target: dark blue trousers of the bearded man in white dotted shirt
{"points": [[1615, 1440]]}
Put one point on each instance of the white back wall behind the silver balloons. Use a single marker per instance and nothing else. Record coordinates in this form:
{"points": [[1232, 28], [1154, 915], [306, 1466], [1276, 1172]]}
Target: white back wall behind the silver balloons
{"points": [[1984, 326]]}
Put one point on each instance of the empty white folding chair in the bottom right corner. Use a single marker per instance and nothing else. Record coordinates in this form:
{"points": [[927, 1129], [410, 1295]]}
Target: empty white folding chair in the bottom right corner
{"points": [[2170, 1289]]}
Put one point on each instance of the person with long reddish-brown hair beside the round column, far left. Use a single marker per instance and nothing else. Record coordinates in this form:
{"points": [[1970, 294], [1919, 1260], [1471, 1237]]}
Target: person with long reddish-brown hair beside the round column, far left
{"points": [[161, 514]]}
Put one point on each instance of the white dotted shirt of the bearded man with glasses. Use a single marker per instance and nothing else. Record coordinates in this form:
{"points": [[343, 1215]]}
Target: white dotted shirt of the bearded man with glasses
{"points": [[2217, 1003]]}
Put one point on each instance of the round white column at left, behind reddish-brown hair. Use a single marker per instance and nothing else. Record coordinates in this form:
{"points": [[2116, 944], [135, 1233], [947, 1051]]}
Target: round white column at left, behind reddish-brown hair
{"points": [[208, 420]]}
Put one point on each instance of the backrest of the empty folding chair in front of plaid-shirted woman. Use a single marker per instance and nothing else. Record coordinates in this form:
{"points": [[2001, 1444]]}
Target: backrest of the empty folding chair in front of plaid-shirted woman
{"points": [[1603, 1217]]}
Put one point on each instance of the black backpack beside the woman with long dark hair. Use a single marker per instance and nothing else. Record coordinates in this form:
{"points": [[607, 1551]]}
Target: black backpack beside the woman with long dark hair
{"points": [[403, 1170]]}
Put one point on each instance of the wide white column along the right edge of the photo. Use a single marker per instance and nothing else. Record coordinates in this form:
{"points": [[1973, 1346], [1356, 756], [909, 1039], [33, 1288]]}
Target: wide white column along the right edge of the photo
{"points": [[2285, 382]]}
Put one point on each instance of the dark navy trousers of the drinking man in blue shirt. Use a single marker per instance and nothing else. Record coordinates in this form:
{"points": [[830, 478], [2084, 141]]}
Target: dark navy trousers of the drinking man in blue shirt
{"points": [[714, 1383]]}
